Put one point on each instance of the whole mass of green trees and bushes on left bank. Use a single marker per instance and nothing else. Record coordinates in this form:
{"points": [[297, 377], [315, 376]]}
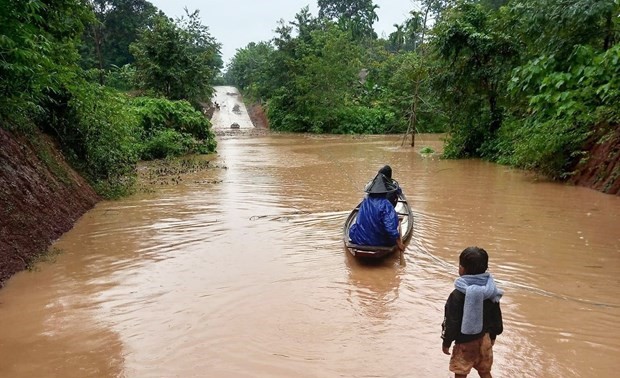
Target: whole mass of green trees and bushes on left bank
{"points": [[114, 81]]}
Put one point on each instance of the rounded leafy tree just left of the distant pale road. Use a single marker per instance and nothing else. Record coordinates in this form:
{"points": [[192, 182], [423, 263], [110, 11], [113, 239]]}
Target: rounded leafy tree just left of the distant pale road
{"points": [[177, 60]]}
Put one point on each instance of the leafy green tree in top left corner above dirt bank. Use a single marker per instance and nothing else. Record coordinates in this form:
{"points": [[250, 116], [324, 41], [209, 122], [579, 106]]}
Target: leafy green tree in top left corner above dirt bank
{"points": [[37, 55]]}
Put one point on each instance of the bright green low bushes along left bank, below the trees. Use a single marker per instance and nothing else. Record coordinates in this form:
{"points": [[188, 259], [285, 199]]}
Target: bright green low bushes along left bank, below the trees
{"points": [[104, 133]]}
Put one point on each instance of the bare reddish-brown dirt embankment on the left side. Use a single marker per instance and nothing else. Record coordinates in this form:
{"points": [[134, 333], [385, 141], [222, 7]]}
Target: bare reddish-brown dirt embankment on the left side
{"points": [[41, 197]]}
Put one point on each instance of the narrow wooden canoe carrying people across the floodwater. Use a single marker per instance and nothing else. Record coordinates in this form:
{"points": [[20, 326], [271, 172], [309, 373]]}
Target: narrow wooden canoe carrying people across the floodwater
{"points": [[375, 252]]}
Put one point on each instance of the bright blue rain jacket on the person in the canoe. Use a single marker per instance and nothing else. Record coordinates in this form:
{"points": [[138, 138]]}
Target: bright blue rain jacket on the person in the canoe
{"points": [[376, 224]]}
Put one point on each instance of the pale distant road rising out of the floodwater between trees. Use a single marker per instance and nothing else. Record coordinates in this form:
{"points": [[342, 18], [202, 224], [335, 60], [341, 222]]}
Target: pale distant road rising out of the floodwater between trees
{"points": [[232, 110]]}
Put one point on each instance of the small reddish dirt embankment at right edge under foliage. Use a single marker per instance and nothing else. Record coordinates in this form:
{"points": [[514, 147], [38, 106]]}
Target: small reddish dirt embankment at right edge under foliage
{"points": [[600, 170]]}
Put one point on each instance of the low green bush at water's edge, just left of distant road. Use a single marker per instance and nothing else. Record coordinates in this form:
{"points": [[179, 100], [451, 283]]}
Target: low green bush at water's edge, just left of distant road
{"points": [[172, 128]]}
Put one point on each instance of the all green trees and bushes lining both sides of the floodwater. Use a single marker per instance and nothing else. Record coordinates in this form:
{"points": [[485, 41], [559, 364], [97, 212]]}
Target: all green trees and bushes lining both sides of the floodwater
{"points": [[528, 83]]}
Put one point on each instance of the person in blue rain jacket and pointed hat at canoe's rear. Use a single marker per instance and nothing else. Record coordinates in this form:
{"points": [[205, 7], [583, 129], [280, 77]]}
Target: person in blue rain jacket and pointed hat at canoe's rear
{"points": [[377, 222]]}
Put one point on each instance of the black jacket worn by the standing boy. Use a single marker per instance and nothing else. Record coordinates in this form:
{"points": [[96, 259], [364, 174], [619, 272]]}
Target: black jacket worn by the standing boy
{"points": [[453, 316]]}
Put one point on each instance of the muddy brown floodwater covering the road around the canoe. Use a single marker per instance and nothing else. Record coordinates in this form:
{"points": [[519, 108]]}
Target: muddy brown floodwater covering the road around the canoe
{"points": [[240, 271]]}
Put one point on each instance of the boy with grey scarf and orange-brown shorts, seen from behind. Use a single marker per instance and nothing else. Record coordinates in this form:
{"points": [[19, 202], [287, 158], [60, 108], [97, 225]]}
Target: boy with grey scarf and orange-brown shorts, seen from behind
{"points": [[472, 317]]}
